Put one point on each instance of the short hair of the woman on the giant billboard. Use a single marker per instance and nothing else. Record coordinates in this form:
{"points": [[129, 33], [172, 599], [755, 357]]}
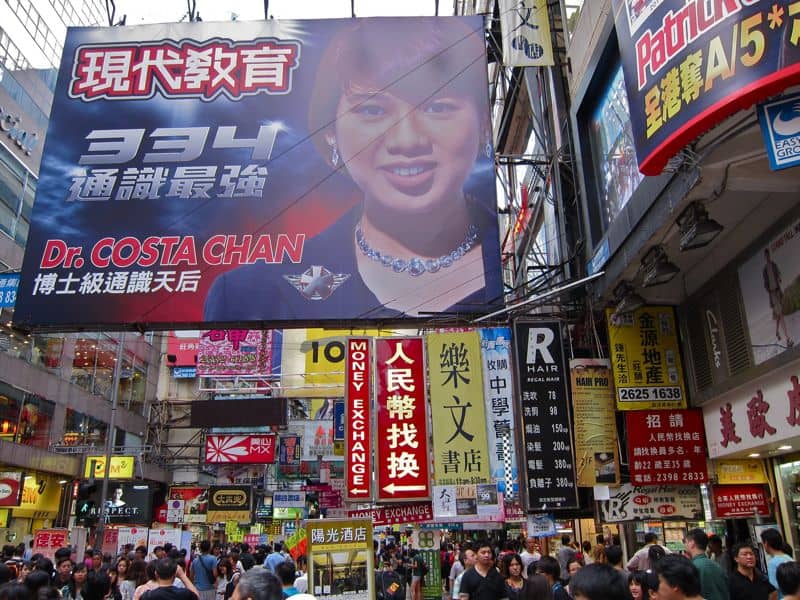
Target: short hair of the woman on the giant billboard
{"points": [[410, 58]]}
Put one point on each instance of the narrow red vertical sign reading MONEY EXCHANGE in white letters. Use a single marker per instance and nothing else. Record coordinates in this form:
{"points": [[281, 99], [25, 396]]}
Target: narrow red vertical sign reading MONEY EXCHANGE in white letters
{"points": [[357, 419]]}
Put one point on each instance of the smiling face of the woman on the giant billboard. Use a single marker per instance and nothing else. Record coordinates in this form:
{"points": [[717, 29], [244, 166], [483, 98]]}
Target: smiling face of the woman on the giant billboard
{"points": [[406, 156]]}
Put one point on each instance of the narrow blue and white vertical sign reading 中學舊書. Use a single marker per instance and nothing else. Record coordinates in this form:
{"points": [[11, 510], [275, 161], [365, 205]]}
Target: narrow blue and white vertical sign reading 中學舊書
{"points": [[498, 389]]}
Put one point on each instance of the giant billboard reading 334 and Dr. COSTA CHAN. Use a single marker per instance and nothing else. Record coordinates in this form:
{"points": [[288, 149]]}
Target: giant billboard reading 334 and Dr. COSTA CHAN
{"points": [[269, 171]]}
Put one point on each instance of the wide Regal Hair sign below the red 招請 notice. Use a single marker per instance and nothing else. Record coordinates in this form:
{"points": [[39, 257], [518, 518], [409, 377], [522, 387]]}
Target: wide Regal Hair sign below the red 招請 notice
{"points": [[631, 503]]}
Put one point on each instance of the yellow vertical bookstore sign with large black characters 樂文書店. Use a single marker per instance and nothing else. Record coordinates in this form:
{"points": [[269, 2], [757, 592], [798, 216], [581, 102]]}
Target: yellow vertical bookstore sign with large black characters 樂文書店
{"points": [[455, 375]]}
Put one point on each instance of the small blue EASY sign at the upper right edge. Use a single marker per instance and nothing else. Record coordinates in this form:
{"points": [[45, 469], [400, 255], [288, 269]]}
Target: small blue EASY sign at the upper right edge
{"points": [[780, 124]]}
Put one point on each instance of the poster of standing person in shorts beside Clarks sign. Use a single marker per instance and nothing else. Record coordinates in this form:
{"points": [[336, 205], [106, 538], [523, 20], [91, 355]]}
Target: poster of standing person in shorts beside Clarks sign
{"points": [[770, 285]]}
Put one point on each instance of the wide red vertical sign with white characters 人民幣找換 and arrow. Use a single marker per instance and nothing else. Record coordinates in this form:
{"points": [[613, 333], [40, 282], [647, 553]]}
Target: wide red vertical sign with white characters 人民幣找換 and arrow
{"points": [[402, 421]]}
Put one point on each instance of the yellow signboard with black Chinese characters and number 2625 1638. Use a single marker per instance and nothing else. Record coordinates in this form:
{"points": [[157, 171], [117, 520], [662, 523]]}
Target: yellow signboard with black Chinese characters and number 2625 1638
{"points": [[646, 359]]}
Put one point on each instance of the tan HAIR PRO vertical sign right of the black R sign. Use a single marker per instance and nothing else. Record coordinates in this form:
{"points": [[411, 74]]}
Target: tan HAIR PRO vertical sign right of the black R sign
{"points": [[597, 462]]}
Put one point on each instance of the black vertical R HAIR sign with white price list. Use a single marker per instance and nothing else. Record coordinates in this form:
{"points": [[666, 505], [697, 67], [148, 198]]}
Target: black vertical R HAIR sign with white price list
{"points": [[543, 380]]}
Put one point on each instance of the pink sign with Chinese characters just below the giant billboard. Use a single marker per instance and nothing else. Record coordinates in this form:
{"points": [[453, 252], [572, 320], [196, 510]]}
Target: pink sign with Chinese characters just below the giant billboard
{"points": [[231, 352]]}
